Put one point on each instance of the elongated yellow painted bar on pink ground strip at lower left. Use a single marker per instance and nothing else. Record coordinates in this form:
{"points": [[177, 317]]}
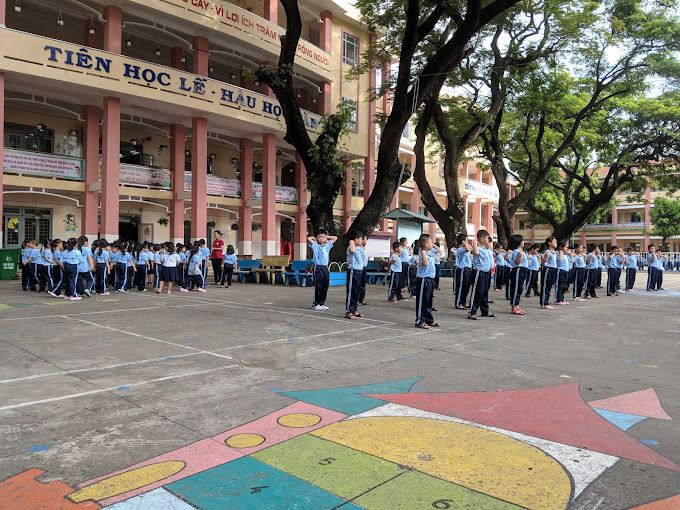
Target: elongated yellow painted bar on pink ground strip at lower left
{"points": [[125, 482]]}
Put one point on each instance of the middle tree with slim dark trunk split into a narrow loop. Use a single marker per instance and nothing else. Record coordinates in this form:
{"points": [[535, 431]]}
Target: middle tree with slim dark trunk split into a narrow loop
{"points": [[524, 34]]}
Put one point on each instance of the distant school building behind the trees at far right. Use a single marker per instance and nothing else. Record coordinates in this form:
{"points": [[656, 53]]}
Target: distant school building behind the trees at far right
{"points": [[627, 225]]}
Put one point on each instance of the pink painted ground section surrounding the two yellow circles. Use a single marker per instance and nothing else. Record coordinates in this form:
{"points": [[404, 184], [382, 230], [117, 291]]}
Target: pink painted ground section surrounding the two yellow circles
{"points": [[274, 433]]}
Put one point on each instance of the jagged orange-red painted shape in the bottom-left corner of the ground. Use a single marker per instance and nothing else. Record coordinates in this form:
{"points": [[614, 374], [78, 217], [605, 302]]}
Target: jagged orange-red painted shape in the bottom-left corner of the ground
{"points": [[23, 491]]}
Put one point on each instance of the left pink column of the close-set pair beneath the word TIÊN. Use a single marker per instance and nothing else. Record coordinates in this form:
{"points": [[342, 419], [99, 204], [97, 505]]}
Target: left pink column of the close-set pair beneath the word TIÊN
{"points": [[90, 209]]}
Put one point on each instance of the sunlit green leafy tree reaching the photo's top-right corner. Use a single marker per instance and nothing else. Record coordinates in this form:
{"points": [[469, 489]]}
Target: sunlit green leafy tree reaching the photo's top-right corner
{"points": [[540, 125]]}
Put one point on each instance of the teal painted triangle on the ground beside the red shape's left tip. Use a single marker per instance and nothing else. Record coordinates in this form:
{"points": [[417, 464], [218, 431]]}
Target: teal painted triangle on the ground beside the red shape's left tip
{"points": [[349, 399]]}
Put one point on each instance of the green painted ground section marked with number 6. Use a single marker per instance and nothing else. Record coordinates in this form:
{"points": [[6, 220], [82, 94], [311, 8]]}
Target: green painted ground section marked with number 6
{"points": [[418, 491]]}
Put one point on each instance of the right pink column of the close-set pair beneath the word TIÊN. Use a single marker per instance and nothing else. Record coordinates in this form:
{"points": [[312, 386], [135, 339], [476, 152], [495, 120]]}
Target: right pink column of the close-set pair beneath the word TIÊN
{"points": [[110, 168]]}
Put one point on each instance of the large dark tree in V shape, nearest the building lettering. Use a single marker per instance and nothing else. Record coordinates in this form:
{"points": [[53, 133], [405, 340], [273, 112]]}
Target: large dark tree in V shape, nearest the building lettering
{"points": [[429, 38]]}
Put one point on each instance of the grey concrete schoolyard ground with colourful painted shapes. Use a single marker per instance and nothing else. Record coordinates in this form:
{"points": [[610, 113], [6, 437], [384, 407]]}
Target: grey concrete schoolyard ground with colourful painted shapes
{"points": [[247, 398]]}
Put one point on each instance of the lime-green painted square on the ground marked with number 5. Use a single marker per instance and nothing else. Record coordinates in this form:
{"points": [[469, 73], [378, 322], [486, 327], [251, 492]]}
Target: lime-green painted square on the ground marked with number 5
{"points": [[330, 466]]}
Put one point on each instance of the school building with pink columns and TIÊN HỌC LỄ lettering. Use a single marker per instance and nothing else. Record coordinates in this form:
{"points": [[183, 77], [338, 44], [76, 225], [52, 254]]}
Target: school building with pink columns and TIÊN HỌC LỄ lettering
{"points": [[142, 120]]}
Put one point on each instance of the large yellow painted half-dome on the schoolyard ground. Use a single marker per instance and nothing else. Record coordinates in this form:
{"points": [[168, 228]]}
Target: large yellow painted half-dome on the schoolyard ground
{"points": [[479, 459]]}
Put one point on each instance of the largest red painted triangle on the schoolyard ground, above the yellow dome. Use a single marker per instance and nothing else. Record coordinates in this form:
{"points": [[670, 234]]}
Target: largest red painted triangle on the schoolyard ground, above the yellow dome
{"points": [[557, 413]]}
